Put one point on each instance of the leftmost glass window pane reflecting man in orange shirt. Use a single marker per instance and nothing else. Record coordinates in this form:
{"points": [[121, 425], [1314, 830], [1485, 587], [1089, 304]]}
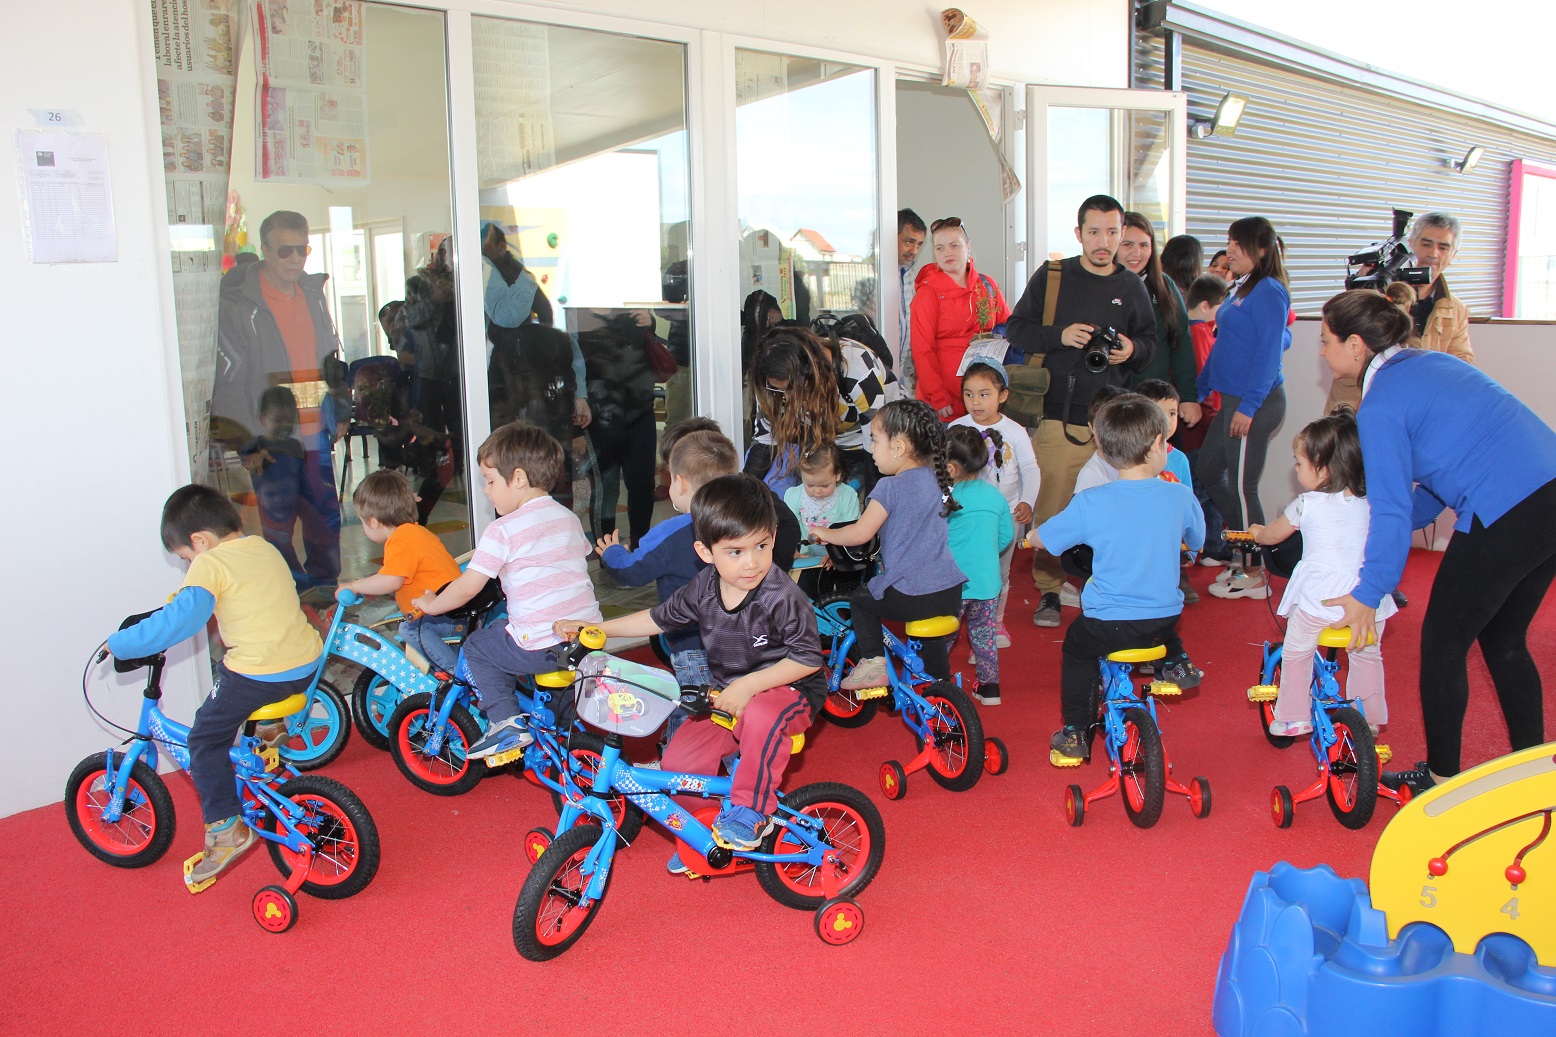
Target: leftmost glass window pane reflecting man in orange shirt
{"points": [[329, 348]]}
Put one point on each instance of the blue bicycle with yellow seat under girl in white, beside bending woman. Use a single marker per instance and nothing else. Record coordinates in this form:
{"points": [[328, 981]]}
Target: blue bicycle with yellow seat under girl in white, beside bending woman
{"points": [[1342, 742]]}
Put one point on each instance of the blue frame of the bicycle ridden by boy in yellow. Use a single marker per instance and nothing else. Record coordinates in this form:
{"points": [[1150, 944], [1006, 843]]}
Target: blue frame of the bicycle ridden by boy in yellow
{"points": [[258, 787]]}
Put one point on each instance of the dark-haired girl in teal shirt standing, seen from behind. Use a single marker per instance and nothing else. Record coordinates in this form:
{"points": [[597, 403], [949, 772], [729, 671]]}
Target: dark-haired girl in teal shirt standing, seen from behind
{"points": [[980, 532]]}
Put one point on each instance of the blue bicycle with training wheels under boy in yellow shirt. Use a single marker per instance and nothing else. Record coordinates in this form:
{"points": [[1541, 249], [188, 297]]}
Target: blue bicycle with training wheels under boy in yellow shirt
{"points": [[320, 835]]}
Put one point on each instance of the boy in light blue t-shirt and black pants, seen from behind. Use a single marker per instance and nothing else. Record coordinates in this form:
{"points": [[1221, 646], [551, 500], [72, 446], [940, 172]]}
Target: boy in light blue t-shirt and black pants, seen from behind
{"points": [[1137, 527]]}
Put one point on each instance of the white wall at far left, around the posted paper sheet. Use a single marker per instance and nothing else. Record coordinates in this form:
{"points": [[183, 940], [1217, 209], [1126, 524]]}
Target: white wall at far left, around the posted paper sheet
{"points": [[93, 413]]}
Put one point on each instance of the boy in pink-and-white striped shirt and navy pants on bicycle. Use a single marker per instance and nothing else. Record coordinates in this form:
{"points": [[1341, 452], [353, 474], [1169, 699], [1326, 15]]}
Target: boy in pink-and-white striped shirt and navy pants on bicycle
{"points": [[539, 552]]}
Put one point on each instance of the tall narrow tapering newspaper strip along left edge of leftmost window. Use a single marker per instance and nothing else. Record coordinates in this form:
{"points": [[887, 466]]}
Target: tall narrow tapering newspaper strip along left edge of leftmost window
{"points": [[195, 44]]}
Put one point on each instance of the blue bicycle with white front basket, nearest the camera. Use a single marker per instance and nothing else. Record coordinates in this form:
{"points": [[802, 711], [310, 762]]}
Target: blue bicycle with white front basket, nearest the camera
{"points": [[824, 846]]}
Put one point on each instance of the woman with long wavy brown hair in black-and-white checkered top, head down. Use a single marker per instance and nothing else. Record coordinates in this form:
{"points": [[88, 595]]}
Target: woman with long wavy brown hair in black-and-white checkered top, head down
{"points": [[807, 393]]}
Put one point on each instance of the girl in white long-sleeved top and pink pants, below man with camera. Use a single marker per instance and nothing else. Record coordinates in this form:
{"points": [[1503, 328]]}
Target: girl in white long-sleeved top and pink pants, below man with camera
{"points": [[1012, 466]]}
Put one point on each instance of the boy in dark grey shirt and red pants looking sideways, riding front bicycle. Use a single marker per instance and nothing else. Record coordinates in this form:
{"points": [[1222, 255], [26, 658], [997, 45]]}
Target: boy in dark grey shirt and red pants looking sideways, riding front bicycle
{"points": [[763, 652]]}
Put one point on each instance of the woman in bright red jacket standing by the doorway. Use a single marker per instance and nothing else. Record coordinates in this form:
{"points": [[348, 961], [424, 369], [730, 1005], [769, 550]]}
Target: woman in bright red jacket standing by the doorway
{"points": [[951, 304]]}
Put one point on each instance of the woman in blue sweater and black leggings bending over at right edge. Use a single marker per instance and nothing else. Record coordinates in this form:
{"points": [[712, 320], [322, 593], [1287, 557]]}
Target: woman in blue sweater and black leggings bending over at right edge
{"points": [[1465, 443]]}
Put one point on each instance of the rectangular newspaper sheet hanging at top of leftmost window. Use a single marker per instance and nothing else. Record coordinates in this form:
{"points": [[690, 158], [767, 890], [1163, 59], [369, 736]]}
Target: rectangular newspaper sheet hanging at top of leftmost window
{"points": [[312, 91]]}
